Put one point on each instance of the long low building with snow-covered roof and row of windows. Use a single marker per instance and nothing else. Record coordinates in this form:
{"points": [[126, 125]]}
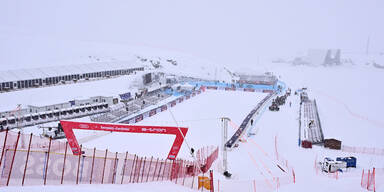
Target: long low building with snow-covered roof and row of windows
{"points": [[46, 76]]}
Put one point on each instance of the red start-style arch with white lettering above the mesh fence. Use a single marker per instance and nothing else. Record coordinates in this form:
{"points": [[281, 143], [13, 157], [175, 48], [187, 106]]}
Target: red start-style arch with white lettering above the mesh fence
{"points": [[179, 132]]}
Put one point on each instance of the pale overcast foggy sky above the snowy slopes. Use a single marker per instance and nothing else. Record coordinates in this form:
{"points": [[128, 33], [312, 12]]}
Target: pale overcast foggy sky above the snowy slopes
{"points": [[217, 30]]}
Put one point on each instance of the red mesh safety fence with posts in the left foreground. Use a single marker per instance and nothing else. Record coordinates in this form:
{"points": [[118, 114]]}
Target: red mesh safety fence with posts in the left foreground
{"points": [[42, 166]]}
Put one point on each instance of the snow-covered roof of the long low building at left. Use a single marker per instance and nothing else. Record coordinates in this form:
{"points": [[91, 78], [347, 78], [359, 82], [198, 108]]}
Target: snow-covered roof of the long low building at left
{"points": [[44, 72]]}
